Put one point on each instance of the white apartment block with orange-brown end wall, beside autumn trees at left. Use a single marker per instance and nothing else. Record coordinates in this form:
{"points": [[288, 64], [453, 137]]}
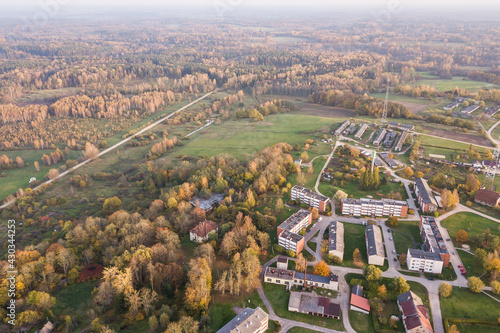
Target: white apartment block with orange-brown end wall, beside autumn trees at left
{"points": [[288, 236]]}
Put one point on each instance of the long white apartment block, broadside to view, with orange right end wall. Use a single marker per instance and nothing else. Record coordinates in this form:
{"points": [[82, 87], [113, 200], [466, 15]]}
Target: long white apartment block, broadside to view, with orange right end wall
{"points": [[374, 208]]}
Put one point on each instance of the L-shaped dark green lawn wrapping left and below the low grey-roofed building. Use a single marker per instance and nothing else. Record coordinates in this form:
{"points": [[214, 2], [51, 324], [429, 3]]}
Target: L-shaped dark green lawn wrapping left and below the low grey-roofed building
{"points": [[278, 297]]}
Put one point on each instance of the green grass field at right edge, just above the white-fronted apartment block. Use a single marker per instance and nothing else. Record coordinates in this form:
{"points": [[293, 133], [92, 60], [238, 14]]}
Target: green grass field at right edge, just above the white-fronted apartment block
{"points": [[470, 222]]}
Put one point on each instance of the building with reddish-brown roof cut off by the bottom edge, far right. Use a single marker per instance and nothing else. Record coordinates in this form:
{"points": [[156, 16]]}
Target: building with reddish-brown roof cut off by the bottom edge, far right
{"points": [[415, 314]]}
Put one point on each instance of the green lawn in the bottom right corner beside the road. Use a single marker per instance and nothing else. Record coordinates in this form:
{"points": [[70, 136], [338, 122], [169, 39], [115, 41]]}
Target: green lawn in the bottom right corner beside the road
{"points": [[464, 304]]}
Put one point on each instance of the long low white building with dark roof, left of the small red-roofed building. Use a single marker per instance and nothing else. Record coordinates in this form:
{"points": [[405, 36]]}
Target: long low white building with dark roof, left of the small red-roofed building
{"points": [[291, 278]]}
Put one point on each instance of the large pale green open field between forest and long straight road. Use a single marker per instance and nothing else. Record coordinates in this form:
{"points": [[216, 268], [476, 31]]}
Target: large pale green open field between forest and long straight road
{"points": [[241, 138]]}
